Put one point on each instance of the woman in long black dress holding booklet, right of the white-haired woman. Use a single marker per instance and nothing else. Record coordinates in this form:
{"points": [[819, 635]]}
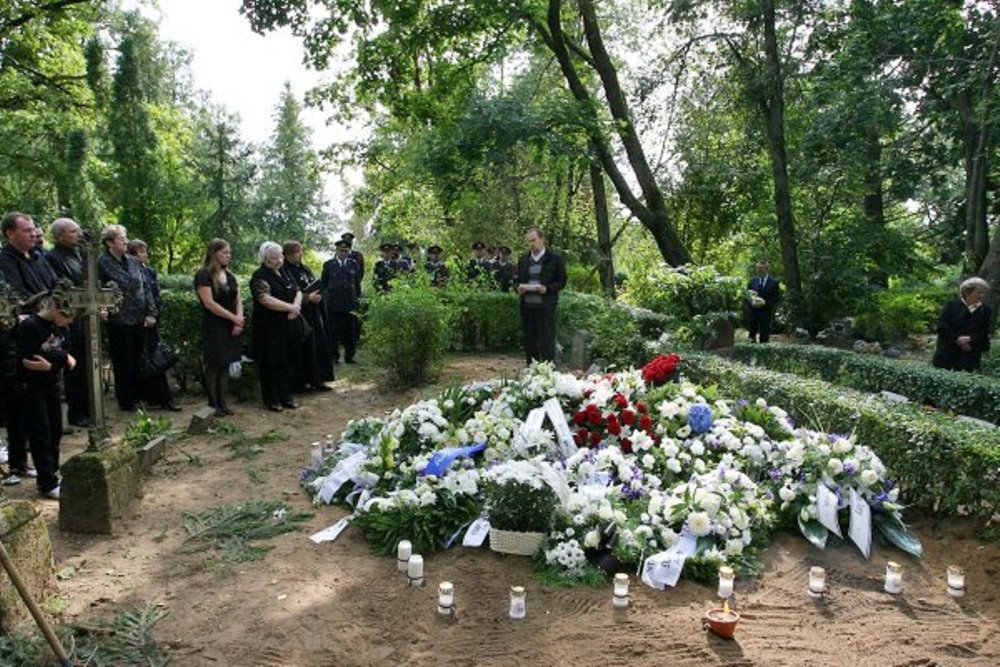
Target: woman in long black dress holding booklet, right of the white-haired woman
{"points": [[312, 362]]}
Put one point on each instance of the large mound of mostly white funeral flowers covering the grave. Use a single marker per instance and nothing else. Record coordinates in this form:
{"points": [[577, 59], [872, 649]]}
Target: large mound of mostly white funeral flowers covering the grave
{"points": [[654, 461]]}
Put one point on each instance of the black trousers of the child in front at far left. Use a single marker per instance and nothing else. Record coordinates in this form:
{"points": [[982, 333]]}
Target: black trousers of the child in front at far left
{"points": [[41, 417]]}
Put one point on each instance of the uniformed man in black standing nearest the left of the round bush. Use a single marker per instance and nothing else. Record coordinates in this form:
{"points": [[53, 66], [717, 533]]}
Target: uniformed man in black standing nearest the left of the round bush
{"points": [[339, 285]]}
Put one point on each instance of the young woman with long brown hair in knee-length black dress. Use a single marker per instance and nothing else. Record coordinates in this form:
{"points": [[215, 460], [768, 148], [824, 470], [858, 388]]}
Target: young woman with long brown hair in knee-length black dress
{"points": [[221, 322]]}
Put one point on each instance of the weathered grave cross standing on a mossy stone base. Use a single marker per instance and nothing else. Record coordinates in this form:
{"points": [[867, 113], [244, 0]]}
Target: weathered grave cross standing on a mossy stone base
{"points": [[91, 301]]}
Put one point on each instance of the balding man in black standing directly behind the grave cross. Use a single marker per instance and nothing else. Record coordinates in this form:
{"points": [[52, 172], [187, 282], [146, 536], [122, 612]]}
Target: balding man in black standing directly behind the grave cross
{"points": [[67, 264]]}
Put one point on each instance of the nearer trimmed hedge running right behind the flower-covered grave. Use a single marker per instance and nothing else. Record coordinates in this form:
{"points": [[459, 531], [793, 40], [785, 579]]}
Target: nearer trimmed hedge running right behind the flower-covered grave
{"points": [[950, 466]]}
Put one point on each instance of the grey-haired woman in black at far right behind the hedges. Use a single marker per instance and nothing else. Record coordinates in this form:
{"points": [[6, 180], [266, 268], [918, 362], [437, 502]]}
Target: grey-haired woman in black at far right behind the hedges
{"points": [[964, 328]]}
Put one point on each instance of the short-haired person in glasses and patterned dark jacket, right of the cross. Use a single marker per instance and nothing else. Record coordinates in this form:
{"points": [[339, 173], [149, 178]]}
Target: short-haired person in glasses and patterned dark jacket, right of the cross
{"points": [[126, 326]]}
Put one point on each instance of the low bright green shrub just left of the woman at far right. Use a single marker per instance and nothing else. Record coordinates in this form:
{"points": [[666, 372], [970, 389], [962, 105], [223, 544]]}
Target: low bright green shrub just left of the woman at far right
{"points": [[896, 314]]}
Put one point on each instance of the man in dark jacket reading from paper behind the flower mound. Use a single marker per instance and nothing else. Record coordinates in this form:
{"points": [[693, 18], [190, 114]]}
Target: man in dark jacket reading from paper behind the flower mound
{"points": [[541, 274]]}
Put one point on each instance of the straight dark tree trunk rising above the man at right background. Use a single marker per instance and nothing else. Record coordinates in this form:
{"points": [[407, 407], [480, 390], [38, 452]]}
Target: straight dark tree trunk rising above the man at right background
{"points": [[773, 108]]}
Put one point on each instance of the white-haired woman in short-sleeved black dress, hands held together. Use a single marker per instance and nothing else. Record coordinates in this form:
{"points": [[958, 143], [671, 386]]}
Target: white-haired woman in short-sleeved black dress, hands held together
{"points": [[277, 303]]}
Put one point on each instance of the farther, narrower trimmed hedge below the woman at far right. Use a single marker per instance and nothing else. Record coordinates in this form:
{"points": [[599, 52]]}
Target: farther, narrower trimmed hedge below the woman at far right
{"points": [[965, 393]]}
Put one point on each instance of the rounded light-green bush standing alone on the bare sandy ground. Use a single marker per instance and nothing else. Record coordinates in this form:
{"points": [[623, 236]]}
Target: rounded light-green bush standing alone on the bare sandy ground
{"points": [[406, 331]]}
